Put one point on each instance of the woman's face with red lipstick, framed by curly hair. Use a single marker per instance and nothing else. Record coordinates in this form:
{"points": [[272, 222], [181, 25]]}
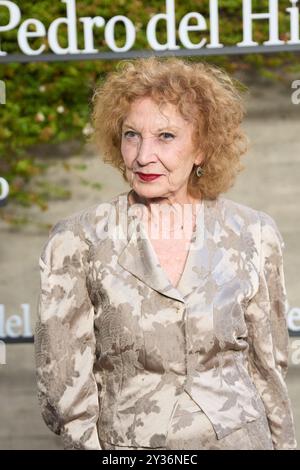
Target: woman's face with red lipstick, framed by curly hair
{"points": [[158, 143]]}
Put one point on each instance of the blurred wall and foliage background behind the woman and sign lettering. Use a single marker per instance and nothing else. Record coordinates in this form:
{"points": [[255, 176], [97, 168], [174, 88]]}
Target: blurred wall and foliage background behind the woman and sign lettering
{"points": [[52, 171]]}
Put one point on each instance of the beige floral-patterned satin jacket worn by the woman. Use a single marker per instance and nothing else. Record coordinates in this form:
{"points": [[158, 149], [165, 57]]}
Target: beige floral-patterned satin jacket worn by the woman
{"points": [[126, 360]]}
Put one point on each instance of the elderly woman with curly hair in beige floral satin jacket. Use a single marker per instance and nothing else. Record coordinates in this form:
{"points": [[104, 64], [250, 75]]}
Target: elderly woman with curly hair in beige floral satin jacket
{"points": [[162, 312]]}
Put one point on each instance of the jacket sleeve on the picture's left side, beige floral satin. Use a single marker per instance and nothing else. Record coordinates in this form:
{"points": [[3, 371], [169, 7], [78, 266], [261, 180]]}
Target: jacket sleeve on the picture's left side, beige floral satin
{"points": [[65, 342]]}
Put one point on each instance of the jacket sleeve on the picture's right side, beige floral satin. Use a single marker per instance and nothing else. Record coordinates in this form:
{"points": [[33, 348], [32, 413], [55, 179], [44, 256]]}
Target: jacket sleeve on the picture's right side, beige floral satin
{"points": [[268, 336]]}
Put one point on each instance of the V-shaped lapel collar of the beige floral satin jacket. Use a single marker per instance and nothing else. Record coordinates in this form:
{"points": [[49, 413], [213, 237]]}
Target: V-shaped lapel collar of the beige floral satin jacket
{"points": [[140, 259]]}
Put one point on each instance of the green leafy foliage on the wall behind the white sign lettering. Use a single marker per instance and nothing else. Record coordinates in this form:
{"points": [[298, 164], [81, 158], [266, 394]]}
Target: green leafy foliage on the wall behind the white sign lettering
{"points": [[50, 102]]}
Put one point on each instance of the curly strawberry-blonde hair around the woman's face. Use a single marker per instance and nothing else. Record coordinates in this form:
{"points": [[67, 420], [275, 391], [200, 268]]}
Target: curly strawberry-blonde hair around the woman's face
{"points": [[201, 92]]}
